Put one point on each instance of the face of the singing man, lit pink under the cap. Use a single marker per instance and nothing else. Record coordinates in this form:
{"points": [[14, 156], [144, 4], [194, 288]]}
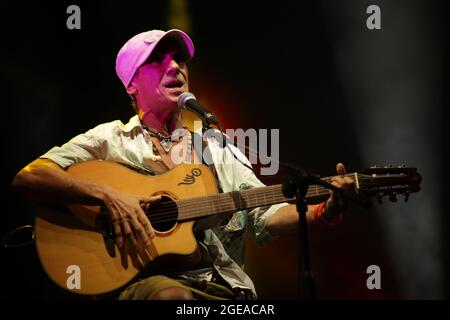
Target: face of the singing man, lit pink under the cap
{"points": [[161, 79]]}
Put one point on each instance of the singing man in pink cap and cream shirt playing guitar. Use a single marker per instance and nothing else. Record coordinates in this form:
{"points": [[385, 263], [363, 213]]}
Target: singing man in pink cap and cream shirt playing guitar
{"points": [[153, 69]]}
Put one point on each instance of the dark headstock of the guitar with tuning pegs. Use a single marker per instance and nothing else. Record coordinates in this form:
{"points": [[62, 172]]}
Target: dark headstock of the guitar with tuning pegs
{"points": [[389, 181]]}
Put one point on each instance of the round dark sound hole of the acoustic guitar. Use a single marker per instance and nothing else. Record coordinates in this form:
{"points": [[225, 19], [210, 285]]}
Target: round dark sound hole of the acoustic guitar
{"points": [[163, 216]]}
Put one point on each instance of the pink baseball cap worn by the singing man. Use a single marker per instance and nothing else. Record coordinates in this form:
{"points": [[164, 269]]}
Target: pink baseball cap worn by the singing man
{"points": [[137, 50]]}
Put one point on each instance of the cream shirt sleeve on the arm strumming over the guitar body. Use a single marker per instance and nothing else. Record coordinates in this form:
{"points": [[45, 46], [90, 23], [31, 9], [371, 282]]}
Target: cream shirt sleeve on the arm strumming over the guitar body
{"points": [[91, 145]]}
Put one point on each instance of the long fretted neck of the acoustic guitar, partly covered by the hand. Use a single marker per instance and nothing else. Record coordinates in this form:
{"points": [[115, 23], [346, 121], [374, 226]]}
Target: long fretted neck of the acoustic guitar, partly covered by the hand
{"points": [[193, 208]]}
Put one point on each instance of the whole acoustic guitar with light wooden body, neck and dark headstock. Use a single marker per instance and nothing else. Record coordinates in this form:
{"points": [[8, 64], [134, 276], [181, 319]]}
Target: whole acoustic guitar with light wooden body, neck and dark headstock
{"points": [[76, 243]]}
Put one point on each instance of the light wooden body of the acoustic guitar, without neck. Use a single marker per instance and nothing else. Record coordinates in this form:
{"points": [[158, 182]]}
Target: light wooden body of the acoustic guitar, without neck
{"points": [[75, 244]]}
